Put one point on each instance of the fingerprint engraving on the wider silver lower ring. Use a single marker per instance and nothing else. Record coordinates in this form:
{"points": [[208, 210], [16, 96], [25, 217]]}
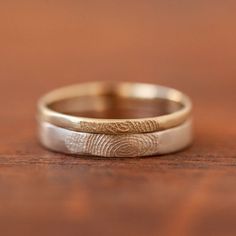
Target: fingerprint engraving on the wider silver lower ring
{"points": [[112, 145]]}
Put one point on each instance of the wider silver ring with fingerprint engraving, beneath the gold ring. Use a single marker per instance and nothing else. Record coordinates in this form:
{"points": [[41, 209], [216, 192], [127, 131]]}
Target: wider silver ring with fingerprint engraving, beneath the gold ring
{"points": [[126, 145]]}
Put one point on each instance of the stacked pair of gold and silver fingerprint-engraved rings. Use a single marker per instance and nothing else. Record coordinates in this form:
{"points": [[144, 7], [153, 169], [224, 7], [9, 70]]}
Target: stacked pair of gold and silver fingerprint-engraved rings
{"points": [[115, 120]]}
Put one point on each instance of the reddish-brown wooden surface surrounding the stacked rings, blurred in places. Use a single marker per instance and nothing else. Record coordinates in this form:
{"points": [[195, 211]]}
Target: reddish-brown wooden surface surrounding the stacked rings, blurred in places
{"points": [[189, 45]]}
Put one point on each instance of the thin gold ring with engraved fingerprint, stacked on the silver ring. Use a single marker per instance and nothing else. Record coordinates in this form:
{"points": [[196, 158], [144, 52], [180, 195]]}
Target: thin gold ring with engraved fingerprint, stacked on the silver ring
{"points": [[115, 126]]}
